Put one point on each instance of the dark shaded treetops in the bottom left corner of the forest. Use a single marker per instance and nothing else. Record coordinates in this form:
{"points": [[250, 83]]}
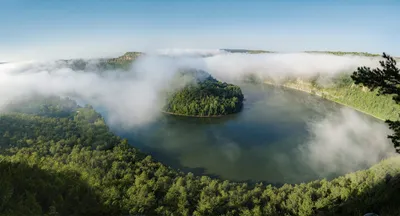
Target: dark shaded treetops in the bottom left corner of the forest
{"points": [[31, 189]]}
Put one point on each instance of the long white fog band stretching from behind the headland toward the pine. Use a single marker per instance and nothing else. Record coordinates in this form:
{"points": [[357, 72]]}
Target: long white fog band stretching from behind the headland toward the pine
{"points": [[278, 66]]}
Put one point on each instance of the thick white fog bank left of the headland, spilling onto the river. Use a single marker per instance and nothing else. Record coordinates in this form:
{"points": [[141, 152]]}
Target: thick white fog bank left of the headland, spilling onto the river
{"points": [[130, 98]]}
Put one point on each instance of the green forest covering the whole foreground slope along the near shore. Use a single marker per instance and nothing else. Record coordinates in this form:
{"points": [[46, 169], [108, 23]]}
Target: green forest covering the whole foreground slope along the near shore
{"points": [[58, 163]]}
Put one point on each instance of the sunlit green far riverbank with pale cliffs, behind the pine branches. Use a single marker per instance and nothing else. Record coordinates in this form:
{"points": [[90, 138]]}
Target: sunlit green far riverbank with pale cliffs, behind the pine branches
{"points": [[354, 97]]}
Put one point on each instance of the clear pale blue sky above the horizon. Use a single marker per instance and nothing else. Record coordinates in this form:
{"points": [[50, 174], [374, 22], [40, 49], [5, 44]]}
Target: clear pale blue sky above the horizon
{"points": [[38, 28]]}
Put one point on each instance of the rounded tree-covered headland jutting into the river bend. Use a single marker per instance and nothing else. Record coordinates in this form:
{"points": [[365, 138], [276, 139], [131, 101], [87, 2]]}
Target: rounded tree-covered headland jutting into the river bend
{"points": [[205, 96]]}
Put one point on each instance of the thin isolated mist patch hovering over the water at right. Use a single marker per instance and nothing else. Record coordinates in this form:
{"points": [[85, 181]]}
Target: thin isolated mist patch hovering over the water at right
{"points": [[346, 141]]}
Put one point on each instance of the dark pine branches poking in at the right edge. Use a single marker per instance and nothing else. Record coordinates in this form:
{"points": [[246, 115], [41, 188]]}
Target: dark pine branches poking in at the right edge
{"points": [[387, 81]]}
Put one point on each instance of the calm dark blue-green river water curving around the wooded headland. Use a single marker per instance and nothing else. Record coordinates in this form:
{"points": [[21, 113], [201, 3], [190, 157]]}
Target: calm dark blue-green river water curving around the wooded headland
{"points": [[260, 143]]}
